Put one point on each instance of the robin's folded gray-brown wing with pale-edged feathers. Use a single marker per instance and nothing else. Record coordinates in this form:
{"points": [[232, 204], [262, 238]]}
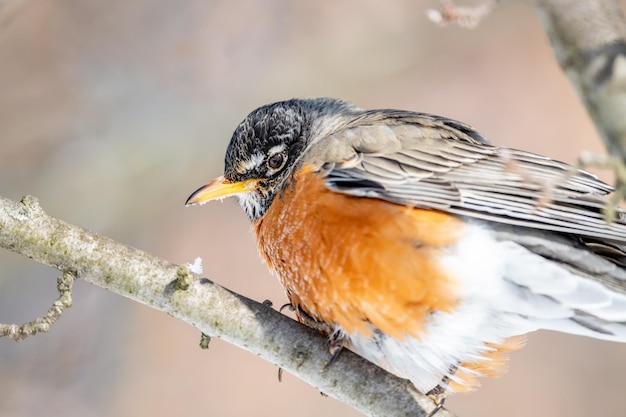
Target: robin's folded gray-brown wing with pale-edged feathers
{"points": [[432, 162]]}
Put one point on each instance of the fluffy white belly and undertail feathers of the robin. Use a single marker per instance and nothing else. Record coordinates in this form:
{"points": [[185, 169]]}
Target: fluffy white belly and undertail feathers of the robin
{"points": [[506, 291]]}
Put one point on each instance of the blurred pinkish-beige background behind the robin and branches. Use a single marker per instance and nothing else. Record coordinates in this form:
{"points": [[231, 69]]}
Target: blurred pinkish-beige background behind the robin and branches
{"points": [[112, 113]]}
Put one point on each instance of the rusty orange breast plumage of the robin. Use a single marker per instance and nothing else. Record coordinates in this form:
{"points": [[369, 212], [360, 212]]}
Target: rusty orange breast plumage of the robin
{"points": [[358, 262]]}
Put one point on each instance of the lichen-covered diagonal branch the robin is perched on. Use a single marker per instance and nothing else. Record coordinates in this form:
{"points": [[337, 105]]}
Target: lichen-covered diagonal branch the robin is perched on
{"points": [[26, 229]]}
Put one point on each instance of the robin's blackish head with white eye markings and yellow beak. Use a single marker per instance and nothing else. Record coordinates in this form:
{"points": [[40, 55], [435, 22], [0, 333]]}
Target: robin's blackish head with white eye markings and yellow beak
{"points": [[267, 146]]}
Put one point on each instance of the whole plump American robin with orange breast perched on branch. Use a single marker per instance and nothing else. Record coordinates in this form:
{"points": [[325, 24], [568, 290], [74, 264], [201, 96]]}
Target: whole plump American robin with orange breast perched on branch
{"points": [[417, 244]]}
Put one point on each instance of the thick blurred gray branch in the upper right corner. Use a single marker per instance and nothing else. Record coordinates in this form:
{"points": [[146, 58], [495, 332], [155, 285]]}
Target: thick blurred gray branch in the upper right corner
{"points": [[589, 41]]}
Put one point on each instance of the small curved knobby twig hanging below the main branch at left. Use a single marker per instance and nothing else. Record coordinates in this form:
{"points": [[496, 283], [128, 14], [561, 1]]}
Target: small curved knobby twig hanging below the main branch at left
{"points": [[43, 324]]}
